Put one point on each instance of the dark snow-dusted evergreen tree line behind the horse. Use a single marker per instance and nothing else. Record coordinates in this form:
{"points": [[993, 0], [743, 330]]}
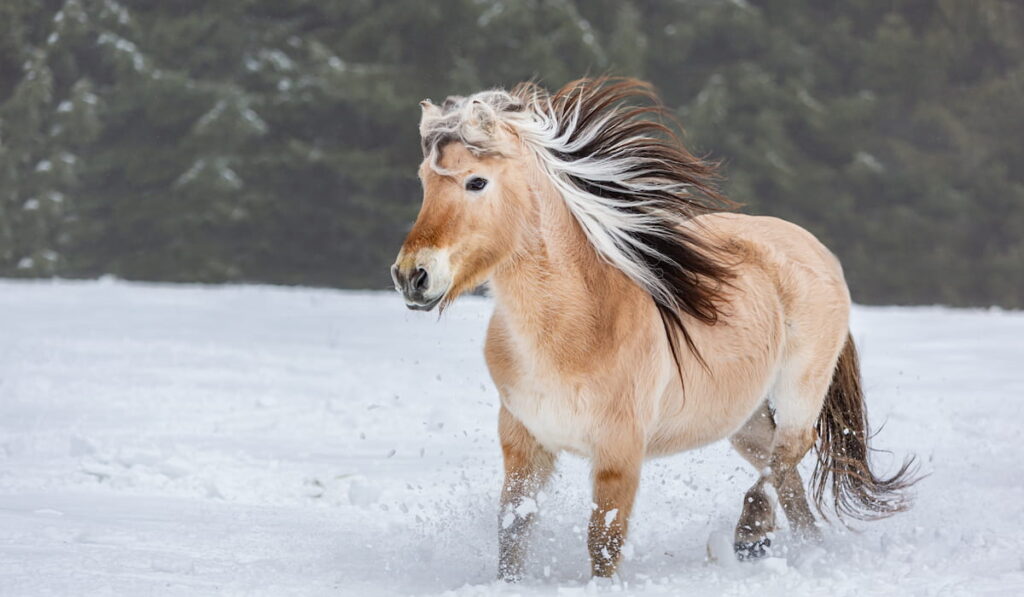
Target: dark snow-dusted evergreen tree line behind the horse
{"points": [[276, 141]]}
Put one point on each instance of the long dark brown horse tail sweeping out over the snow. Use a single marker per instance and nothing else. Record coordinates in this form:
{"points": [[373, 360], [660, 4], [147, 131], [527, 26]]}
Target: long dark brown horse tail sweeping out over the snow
{"points": [[843, 452]]}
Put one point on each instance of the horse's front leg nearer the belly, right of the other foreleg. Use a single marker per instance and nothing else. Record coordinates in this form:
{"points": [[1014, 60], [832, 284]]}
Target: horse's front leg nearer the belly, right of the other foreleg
{"points": [[617, 476]]}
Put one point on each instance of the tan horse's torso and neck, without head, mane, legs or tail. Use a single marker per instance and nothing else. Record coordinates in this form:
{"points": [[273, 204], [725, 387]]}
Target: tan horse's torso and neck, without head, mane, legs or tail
{"points": [[572, 364]]}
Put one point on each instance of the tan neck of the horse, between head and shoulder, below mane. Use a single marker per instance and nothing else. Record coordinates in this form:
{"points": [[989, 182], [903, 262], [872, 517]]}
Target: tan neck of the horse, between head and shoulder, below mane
{"points": [[558, 293]]}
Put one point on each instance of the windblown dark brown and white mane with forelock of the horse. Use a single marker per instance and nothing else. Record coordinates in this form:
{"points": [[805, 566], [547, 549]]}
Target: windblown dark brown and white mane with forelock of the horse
{"points": [[624, 175]]}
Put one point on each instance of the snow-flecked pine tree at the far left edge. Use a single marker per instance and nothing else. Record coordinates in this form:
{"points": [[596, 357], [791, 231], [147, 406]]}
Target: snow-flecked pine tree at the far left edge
{"points": [[51, 118]]}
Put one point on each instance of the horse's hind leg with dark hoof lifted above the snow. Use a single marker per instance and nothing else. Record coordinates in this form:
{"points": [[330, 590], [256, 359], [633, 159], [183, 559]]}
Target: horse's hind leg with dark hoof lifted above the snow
{"points": [[754, 443]]}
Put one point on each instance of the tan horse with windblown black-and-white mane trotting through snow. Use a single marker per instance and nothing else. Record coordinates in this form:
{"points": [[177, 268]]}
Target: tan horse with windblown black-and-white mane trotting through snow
{"points": [[636, 315]]}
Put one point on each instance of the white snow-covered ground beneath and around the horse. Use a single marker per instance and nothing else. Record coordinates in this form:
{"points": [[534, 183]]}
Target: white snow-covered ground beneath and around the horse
{"points": [[253, 441]]}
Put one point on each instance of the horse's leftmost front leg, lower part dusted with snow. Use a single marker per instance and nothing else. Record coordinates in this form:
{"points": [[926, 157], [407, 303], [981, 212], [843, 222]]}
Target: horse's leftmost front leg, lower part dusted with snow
{"points": [[528, 467]]}
